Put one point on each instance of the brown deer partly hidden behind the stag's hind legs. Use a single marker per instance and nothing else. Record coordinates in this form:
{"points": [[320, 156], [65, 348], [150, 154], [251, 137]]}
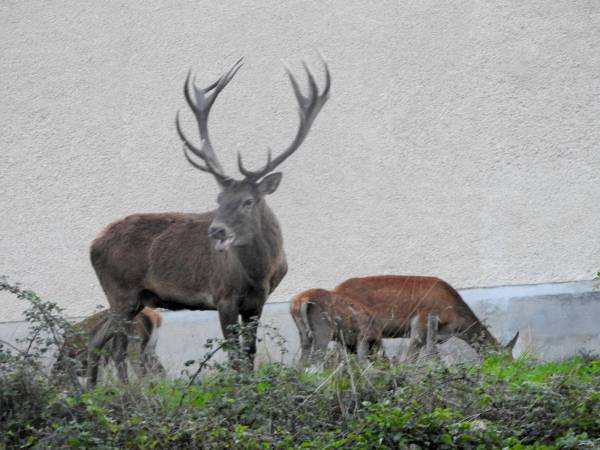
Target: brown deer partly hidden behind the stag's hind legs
{"points": [[144, 330]]}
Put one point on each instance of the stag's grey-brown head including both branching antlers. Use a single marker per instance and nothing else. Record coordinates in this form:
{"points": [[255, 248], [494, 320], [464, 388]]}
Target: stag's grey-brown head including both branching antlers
{"points": [[240, 202]]}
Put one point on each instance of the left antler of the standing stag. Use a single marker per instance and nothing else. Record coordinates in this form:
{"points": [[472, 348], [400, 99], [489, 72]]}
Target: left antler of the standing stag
{"points": [[201, 108]]}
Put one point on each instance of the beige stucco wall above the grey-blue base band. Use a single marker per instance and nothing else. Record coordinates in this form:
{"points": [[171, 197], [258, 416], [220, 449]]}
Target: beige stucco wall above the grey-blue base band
{"points": [[461, 139]]}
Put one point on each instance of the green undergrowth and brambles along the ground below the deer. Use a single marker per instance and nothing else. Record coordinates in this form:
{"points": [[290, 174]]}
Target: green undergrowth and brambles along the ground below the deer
{"points": [[520, 404]]}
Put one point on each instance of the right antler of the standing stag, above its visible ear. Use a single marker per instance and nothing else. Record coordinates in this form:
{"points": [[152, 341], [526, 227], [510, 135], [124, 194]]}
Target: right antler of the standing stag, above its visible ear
{"points": [[308, 108]]}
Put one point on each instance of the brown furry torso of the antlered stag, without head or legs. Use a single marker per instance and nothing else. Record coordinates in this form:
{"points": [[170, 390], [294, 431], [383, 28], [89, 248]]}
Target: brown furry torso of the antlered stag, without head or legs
{"points": [[165, 260]]}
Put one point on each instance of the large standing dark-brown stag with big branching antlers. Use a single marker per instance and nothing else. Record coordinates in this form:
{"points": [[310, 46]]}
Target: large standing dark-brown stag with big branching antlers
{"points": [[229, 259]]}
